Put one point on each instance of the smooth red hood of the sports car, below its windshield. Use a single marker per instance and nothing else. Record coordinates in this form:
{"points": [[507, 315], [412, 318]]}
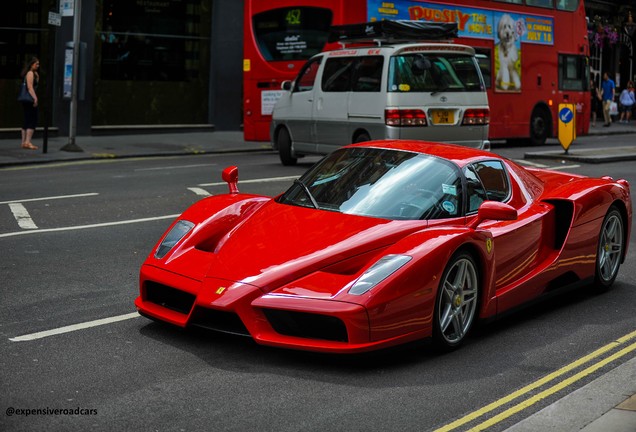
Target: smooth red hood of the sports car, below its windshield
{"points": [[280, 243]]}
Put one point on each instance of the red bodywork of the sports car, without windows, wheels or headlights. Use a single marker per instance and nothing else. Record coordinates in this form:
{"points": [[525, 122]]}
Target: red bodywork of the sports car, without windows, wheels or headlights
{"points": [[251, 264]]}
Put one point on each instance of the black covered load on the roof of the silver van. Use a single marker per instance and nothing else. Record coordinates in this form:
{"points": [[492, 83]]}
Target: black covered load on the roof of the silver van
{"points": [[388, 31]]}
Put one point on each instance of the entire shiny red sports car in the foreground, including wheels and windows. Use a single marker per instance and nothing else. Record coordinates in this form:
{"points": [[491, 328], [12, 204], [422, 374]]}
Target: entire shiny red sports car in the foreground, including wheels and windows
{"points": [[385, 242]]}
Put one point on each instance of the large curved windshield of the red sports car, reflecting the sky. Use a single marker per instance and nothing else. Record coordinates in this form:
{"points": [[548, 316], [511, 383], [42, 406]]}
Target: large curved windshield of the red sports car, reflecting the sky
{"points": [[382, 183]]}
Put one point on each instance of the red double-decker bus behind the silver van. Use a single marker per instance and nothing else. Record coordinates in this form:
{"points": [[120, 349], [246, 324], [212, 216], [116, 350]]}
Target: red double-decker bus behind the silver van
{"points": [[533, 54]]}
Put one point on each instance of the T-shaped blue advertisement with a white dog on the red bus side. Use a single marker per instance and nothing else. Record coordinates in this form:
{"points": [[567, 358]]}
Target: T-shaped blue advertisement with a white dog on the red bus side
{"points": [[507, 31]]}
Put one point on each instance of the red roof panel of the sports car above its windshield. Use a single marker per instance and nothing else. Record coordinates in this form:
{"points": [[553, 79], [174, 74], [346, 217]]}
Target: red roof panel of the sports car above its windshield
{"points": [[460, 155]]}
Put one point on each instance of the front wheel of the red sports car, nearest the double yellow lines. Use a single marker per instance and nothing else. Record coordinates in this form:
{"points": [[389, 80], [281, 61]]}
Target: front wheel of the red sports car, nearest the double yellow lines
{"points": [[456, 303]]}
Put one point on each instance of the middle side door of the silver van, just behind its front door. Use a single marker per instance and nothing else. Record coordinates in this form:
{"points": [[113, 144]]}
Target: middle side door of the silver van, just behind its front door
{"points": [[331, 99]]}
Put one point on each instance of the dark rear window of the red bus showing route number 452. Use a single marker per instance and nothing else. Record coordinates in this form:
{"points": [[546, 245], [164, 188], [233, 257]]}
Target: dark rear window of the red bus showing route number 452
{"points": [[291, 33]]}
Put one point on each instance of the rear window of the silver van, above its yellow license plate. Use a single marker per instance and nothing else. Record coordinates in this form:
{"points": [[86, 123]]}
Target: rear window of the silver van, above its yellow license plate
{"points": [[434, 73]]}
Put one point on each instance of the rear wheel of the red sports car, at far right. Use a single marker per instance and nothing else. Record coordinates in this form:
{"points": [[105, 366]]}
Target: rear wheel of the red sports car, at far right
{"points": [[609, 252]]}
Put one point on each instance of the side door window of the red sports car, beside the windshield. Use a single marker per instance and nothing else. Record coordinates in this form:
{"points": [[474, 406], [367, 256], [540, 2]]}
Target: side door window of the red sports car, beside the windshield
{"points": [[486, 180]]}
